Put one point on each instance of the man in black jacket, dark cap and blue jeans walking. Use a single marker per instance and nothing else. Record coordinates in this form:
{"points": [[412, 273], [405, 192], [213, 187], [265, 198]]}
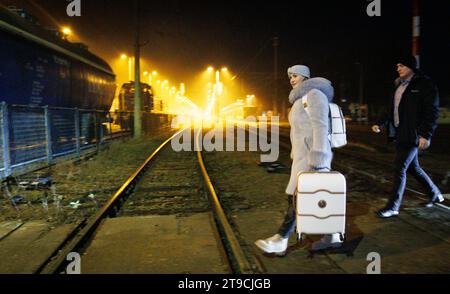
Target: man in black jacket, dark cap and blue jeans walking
{"points": [[411, 123]]}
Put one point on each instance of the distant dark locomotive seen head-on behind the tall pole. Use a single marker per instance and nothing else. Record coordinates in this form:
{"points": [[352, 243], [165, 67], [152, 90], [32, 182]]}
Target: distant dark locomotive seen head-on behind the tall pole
{"points": [[126, 97]]}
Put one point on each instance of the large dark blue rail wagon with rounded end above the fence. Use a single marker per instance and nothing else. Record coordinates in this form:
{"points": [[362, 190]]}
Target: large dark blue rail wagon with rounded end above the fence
{"points": [[38, 67]]}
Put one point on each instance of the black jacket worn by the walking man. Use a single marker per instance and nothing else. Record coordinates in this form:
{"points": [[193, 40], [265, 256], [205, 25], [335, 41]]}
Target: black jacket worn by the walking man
{"points": [[418, 111]]}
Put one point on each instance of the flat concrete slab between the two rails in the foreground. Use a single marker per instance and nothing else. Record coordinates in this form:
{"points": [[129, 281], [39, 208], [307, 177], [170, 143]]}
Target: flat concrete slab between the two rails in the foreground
{"points": [[155, 244]]}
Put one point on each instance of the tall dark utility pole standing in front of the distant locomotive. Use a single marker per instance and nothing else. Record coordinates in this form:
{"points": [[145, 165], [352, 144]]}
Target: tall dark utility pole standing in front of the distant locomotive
{"points": [[137, 76]]}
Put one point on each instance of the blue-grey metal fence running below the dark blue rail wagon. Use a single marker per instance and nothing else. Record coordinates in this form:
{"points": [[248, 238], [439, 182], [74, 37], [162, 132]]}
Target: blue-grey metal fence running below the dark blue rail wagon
{"points": [[31, 137]]}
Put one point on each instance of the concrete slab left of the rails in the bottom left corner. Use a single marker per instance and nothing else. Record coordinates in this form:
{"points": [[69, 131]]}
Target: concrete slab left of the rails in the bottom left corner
{"points": [[23, 251]]}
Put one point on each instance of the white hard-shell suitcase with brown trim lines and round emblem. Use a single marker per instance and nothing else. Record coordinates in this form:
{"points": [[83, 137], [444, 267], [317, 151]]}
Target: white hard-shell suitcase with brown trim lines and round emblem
{"points": [[321, 203]]}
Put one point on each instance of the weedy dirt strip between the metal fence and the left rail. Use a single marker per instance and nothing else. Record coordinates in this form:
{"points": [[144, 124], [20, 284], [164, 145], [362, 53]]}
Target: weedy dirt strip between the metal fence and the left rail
{"points": [[78, 188]]}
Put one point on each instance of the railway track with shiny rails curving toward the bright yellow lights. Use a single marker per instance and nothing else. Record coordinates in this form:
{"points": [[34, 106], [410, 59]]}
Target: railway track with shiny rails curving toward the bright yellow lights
{"points": [[130, 200]]}
